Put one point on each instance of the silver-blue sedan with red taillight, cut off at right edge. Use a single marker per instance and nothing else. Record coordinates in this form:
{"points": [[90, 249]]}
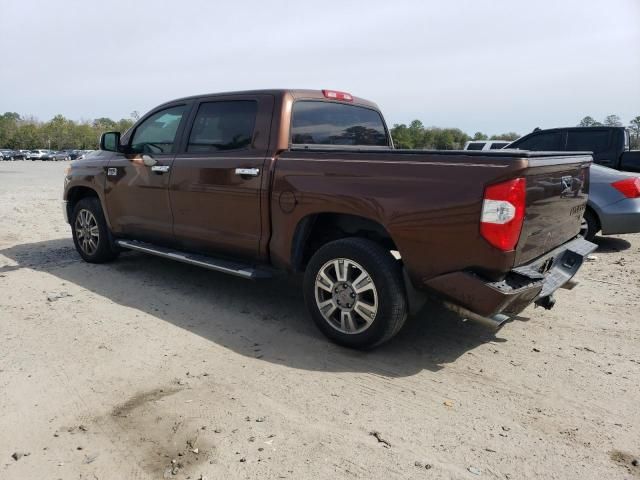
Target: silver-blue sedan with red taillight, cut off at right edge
{"points": [[614, 203]]}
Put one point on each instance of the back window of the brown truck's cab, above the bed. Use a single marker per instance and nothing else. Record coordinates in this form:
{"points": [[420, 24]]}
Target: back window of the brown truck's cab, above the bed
{"points": [[328, 123]]}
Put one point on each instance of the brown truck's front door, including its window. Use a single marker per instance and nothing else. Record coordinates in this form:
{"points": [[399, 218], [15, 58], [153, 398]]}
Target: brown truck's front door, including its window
{"points": [[137, 181]]}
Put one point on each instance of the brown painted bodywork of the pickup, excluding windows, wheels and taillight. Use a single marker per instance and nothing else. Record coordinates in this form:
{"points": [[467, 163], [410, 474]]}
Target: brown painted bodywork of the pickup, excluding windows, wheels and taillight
{"points": [[428, 201]]}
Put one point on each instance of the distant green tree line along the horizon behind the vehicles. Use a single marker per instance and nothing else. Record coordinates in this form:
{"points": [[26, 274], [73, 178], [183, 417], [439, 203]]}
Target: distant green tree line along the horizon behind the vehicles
{"points": [[60, 133]]}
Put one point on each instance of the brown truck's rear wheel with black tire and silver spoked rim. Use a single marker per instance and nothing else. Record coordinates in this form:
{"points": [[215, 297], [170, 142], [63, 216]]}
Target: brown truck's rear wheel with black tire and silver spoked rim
{"points": [[355, 293]]}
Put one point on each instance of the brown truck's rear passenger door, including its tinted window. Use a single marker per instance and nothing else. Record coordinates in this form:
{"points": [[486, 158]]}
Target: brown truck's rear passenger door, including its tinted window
{"points": [[216, 178]]}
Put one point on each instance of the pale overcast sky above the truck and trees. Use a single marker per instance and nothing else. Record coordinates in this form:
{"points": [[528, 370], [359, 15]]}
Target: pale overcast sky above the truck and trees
{"points": [[490, 66]]}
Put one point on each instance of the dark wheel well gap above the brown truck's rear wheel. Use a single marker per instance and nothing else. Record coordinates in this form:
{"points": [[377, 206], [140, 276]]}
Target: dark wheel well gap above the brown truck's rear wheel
{"points": [[316, 230]]}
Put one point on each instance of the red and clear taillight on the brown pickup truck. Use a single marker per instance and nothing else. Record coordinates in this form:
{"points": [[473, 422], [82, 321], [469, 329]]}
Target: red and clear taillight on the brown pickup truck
{"points": [[503, 213]]}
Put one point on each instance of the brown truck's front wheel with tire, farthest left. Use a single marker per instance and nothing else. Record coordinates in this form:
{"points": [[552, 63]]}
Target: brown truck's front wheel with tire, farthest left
{"points": [[90, 232]]}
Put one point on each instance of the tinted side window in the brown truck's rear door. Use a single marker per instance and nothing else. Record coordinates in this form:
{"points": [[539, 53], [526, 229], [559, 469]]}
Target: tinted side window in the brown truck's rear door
{"points": [[224, 125]]}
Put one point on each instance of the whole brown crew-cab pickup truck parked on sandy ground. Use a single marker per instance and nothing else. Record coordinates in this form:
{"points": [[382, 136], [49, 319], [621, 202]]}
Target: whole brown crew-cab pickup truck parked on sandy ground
{"points": [[251, 183]]}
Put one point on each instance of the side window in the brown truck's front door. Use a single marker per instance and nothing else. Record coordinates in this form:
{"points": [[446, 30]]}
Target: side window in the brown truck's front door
{"points": [[157, 134]]}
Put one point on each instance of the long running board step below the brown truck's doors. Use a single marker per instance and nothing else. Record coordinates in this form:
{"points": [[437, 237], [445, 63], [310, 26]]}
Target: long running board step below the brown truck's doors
{"points": [[225, 266]]}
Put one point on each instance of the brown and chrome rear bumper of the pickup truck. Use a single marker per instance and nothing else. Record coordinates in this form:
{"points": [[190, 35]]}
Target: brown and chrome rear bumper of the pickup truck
{"points": [[468, 293]]}
